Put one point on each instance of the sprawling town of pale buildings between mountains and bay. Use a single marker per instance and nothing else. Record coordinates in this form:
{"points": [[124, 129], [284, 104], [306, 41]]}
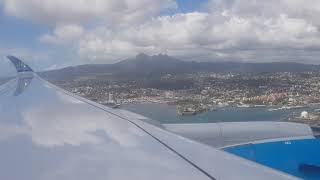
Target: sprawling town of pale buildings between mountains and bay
{"points": [[210, 90]]}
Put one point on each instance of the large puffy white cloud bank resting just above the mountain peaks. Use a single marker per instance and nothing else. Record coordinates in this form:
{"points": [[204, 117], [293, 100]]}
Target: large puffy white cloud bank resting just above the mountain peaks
{"points": [[206, 36]]}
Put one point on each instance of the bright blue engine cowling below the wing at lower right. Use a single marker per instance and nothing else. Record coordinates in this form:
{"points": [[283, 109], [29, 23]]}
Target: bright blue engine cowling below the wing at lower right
{"points": [[300, 158]]}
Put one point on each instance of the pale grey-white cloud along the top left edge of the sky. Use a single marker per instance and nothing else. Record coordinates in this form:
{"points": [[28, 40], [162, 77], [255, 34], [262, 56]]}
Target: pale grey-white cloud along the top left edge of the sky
{"points": [[71, 11]]}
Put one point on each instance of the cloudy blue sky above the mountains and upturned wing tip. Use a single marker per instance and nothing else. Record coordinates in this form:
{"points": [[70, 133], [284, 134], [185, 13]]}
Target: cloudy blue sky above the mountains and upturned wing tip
{"points": [[51, 34]]}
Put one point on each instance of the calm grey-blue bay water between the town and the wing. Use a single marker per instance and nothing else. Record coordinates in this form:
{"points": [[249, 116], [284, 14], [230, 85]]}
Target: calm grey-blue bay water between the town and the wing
{"points": [[167, 114]]}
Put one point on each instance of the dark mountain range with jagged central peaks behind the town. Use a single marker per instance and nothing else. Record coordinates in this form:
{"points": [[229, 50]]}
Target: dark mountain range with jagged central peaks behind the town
{"points": [[144, 65]]}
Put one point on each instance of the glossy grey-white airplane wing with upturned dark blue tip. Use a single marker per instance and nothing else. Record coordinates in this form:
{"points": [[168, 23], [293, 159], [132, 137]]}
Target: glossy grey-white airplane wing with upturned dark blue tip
{"points": [[48, 133]]}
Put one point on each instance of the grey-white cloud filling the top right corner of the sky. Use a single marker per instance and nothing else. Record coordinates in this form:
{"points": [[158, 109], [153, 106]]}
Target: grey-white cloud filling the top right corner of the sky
{"points": [[299, 9]]}
